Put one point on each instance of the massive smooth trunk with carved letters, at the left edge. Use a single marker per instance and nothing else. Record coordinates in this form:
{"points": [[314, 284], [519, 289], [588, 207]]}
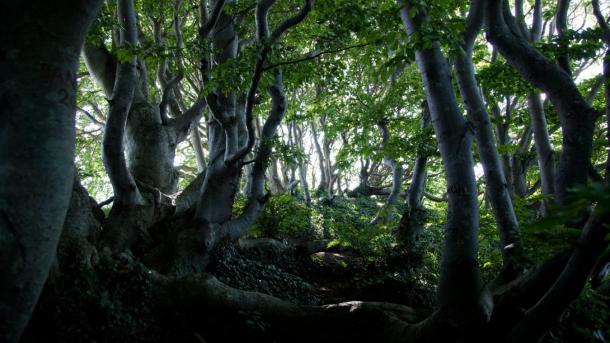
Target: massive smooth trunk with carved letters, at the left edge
{"points": [[41, 43]]}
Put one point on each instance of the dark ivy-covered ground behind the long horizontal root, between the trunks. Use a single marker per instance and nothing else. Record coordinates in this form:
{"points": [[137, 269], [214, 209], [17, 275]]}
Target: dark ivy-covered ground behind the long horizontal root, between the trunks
{"points": [[323, 278]]}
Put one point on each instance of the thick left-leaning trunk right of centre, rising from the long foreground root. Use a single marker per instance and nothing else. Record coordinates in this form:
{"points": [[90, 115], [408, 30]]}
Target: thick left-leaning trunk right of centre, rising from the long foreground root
{"points": [[460, 291]]}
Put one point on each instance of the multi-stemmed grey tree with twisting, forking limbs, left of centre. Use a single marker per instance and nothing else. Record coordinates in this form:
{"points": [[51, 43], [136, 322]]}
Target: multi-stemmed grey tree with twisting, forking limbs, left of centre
{"points": [[212, 221]]}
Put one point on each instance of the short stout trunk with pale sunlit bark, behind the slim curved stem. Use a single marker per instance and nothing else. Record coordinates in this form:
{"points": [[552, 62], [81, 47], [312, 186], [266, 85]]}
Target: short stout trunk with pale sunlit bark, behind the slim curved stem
{"points": [[151, 134]]}
